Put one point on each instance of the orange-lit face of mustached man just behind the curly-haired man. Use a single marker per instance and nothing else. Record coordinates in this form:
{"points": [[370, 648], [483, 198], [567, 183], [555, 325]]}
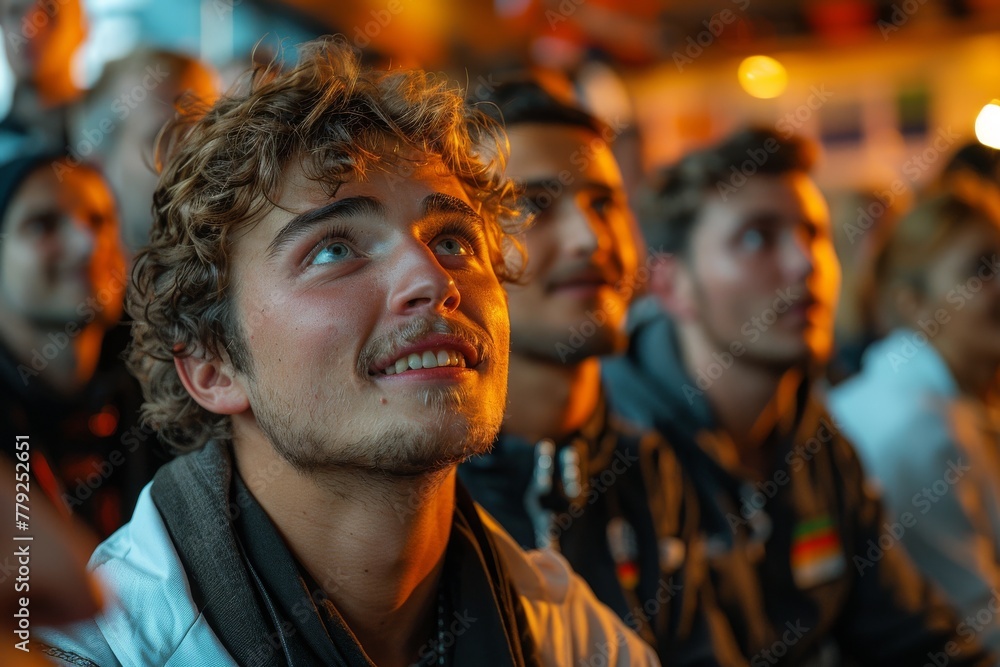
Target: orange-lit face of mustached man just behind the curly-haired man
{"points": [[580, 247]]}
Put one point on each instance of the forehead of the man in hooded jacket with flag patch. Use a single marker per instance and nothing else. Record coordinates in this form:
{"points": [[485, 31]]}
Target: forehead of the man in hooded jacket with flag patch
{"points": [[782, 199]]}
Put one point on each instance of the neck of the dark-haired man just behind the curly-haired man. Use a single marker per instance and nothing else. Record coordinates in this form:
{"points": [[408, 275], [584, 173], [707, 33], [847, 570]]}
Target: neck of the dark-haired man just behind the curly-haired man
{"points": [[549, 399]]}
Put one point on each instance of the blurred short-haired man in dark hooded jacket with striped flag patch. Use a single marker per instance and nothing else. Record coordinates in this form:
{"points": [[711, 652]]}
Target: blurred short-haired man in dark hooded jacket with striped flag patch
{"points": [[803, 567]]}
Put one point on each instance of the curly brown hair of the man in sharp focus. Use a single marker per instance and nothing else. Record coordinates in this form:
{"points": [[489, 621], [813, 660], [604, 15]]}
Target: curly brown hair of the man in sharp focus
{"points": [[222, 170]]}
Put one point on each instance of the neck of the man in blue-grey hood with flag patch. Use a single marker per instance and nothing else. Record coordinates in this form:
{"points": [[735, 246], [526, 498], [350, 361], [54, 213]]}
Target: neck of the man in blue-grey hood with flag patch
{"points": [[747, 399]]}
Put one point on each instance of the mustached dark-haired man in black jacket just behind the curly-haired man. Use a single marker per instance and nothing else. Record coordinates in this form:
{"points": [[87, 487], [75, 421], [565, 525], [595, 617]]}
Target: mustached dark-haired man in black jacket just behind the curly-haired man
{"points": [[565, 473]]}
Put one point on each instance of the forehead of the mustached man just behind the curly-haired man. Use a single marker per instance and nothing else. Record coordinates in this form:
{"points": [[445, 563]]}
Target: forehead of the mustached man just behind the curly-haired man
{"points": [[543, 150]]}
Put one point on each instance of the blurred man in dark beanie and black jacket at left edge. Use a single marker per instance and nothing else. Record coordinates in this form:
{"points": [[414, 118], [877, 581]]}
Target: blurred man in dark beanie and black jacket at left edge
{"points": [[61, 287]]}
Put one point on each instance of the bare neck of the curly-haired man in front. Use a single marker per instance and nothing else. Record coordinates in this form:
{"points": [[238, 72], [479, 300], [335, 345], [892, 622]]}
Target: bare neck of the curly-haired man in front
{"points": [[375, 544]]}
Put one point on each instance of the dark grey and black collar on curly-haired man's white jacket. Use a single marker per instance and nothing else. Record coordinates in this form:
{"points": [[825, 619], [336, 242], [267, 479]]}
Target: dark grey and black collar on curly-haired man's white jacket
{"points": [[236, 563]]}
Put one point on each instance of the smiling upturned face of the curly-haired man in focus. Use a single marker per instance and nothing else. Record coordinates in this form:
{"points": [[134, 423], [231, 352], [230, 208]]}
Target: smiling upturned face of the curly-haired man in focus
{"points": [[376, 325]]}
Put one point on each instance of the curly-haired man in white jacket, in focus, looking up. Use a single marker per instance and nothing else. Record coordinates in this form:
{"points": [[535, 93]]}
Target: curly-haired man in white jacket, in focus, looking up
{"points": [[320, 323]]}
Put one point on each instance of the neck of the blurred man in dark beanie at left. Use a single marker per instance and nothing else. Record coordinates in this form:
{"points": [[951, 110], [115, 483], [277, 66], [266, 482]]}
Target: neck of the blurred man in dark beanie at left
{"points": [[63, 358]]}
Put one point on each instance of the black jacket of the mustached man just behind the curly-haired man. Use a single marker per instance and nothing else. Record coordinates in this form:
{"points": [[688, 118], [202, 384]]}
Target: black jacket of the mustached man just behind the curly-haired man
{"points": [[613, 500]]}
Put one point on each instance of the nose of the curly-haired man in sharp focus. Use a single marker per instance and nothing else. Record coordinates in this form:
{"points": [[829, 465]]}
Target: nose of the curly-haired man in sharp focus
{"points": [[419, 282]]}
